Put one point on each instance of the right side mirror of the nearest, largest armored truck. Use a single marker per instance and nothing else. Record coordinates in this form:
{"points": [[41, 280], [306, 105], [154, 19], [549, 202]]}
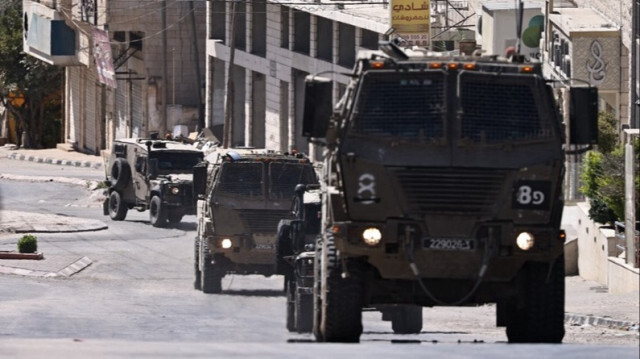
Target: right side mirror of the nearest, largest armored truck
{"points": [[583, 115]]}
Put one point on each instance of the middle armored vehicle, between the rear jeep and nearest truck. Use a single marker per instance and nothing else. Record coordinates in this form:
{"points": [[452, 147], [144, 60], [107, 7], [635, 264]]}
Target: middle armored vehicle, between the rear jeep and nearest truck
{"points": [[243, 193]]}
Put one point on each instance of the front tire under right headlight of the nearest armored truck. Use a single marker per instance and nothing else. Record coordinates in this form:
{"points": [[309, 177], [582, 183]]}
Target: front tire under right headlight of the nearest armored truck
{"points": [[540, 316]]}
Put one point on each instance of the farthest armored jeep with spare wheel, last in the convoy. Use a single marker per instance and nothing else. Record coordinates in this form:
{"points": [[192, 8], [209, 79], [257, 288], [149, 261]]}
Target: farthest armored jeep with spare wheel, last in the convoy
{"points": [[150, 174]]}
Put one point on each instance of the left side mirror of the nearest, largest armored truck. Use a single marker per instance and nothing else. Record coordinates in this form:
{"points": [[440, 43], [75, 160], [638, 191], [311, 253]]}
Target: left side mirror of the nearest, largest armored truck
{"points": [[318, 106]]}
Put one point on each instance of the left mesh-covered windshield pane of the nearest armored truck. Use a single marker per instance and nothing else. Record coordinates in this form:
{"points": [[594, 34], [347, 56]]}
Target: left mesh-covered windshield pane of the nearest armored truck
{"points": [[402, 105]]}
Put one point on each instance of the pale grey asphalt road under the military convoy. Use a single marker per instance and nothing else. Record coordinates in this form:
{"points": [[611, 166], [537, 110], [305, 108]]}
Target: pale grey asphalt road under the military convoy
{"points": [[137, 299]]}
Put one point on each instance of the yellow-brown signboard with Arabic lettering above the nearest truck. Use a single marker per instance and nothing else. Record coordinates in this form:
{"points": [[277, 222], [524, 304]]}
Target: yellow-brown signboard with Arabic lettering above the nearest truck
{"points": [[412, 21]]}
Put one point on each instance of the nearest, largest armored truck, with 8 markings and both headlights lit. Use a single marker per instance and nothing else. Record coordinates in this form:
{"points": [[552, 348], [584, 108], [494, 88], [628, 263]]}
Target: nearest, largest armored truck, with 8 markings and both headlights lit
{"points": [[442, 186]]}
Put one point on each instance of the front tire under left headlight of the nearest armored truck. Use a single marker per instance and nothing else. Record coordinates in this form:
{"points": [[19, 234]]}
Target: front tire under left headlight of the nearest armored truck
{"points": [[341, 303]]}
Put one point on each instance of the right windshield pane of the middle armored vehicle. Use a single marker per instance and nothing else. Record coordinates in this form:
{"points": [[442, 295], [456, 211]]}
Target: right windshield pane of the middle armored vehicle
{"points": [[284, 176]]}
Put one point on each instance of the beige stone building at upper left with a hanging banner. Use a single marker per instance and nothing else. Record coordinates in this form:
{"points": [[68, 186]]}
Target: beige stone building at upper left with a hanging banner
{"points": [[132, 68]]}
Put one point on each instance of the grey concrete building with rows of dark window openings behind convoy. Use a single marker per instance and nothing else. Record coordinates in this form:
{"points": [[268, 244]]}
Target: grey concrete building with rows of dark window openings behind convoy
{"points": [[275, 46]]}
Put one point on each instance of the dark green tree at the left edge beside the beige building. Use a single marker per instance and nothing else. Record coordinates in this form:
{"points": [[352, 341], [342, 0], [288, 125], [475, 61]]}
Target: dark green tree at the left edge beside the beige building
{"points": [[30, 89]]}
